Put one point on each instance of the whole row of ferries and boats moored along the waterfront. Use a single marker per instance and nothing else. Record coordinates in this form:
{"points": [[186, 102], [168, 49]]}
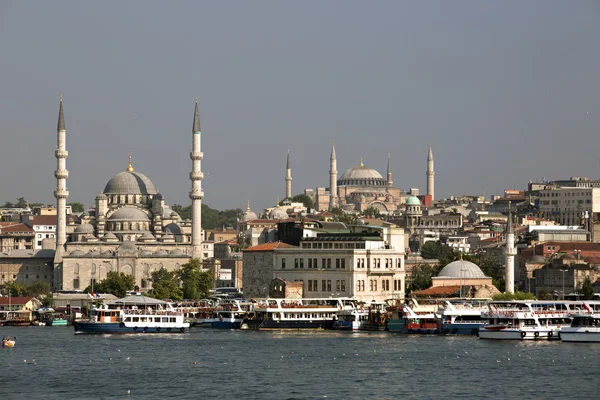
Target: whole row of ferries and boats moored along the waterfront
{"points": [[569, 321]]}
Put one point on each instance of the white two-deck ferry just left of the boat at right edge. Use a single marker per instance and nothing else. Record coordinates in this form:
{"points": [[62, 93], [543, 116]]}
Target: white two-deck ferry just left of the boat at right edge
{"points": [[527, 320]]}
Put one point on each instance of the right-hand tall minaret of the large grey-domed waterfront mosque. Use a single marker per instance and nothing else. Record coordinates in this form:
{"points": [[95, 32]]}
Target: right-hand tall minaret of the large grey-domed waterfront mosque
{"points": [[196, 194]]}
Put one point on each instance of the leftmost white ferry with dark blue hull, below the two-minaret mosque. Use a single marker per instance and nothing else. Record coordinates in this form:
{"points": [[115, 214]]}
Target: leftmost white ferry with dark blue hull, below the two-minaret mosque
{"points": [[133, 314]]}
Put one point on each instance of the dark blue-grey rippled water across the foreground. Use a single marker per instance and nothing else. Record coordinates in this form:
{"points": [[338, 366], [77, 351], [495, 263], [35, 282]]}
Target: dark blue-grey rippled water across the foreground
{"points": [[53, 363]]}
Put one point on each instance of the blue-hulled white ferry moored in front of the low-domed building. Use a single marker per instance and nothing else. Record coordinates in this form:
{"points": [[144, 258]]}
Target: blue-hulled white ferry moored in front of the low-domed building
{"points": [[462, 316]]}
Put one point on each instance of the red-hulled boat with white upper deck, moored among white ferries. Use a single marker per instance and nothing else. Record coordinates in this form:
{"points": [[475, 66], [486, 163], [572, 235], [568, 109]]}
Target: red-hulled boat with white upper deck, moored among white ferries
{"points": [[415, 317]]}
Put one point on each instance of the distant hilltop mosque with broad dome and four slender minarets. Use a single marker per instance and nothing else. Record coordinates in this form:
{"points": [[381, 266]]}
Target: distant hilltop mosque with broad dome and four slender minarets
{"points": [[361, 187]]}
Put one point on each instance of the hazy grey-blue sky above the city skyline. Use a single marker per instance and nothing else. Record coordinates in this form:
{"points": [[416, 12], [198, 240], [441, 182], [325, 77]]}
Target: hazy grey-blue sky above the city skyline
{"points": [[505, 91]]}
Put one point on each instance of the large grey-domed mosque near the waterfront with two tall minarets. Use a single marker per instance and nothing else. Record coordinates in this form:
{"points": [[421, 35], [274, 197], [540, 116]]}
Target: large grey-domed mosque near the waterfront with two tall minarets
{"points": [[131, 230]]}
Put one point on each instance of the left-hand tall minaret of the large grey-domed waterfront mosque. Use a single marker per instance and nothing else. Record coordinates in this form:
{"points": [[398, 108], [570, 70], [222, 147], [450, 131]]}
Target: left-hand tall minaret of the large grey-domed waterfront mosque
{"points": [[61, 192]]}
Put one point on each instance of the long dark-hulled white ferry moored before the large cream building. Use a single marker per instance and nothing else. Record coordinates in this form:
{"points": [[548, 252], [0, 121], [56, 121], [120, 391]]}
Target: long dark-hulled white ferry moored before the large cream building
{"points": [[309, 313]]}
